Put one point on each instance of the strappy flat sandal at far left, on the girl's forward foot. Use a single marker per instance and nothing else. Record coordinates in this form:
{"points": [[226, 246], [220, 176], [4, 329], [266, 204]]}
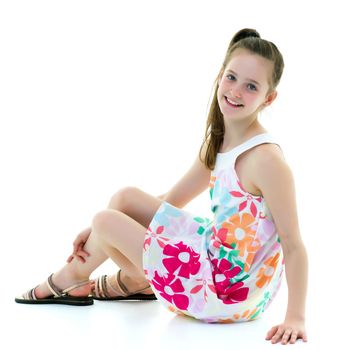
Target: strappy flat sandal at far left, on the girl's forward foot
{"points": [[58, 297]]}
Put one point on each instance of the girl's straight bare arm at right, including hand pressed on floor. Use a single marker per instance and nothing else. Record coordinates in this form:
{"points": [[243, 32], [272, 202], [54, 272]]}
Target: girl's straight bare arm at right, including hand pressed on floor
{"points": [[275, 180]]}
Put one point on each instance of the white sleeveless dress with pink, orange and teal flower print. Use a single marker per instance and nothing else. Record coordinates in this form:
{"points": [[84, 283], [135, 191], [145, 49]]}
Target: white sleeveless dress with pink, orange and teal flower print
{"points": [[223, 269]]}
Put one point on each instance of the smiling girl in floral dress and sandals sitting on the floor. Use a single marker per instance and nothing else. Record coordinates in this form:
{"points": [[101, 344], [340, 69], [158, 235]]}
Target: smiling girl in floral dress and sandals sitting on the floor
{"points": [[222, 269]]}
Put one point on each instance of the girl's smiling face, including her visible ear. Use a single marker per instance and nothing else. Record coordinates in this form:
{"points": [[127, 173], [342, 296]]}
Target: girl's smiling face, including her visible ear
{"points": [[244, 84]]}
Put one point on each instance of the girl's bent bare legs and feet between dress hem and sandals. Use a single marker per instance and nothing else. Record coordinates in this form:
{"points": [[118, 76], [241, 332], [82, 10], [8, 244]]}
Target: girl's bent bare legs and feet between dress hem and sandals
{"points": [[117, 235]]}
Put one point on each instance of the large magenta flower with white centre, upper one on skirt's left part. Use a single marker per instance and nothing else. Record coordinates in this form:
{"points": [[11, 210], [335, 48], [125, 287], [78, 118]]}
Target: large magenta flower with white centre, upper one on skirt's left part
{"points": [[183, 258]]}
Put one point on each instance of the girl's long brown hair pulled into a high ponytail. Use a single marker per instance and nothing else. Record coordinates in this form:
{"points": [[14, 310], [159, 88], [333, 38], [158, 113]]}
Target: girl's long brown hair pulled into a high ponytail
{"points": [[248, 39]]}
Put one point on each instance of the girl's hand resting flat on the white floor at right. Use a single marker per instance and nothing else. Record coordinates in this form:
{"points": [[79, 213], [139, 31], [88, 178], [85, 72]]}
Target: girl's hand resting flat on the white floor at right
{"points": [[289, 331]]}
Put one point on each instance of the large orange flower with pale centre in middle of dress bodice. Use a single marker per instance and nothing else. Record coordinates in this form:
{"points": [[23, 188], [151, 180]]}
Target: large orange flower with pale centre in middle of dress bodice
{"points": [[240, 232]]}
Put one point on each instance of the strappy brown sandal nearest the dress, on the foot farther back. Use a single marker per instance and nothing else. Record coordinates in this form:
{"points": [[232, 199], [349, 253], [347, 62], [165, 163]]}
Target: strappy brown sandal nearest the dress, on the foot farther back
{"points": [[101, 291]]}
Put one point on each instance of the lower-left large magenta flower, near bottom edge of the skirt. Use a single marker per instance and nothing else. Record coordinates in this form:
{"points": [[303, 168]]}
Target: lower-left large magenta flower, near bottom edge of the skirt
{"points": [[170, 288]]}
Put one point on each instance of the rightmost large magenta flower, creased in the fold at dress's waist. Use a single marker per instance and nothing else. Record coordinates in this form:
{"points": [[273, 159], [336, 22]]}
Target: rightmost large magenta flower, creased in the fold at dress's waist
{"points": [[229, 293]]}
